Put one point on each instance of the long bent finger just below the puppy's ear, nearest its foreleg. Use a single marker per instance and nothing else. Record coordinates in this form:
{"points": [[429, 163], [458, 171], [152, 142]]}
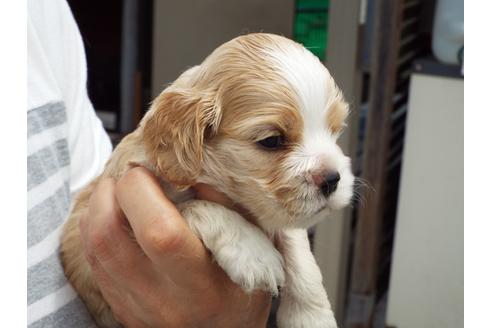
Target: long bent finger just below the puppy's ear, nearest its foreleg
{"points": [[160, 229]]}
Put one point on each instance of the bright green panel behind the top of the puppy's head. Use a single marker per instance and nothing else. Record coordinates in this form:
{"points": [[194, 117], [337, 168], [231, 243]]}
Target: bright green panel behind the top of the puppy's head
{"points": [[311, 25]]}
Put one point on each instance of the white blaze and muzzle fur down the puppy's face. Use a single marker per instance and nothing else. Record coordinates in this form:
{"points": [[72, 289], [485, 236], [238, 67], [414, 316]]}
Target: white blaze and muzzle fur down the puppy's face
{"points": [[316, 91]]}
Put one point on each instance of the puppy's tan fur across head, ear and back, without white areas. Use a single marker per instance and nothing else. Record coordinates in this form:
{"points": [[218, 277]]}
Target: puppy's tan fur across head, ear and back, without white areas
{"points": [[204, 128]]}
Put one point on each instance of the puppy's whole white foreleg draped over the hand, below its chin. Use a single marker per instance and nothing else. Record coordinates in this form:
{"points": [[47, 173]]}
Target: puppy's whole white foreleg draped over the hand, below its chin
{"points": [[240, 248]]}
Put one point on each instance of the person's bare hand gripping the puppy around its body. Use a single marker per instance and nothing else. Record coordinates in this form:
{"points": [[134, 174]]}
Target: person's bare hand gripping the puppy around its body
{"points": [[163, 276]]}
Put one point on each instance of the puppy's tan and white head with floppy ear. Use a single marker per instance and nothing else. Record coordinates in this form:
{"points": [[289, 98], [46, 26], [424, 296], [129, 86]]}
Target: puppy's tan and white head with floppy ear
{"points": [[258, 120]]}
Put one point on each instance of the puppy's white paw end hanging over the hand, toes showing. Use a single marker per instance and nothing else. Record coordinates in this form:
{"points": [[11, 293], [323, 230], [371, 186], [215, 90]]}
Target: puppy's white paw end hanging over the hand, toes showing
{"points": [[252, 262]]}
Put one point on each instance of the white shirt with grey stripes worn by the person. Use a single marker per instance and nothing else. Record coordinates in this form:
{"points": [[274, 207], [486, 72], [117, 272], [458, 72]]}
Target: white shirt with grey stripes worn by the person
{"points": [[66, 148]]}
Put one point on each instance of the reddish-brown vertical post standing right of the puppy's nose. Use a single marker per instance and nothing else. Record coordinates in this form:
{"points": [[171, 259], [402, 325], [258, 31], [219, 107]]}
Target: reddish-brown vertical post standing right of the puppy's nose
{"points": [[384, 59]]}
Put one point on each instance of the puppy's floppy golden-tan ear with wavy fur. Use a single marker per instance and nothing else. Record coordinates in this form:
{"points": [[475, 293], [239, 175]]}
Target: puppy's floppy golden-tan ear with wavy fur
{"points": [[174, 132]]}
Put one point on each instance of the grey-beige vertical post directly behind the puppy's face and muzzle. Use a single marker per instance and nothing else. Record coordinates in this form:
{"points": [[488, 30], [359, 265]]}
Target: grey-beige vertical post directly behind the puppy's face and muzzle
{"points": [[331, 243]]}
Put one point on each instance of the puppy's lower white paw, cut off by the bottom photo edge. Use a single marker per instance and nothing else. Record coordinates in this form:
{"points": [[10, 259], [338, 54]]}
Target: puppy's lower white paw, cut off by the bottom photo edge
{"points": [[290, 315]]}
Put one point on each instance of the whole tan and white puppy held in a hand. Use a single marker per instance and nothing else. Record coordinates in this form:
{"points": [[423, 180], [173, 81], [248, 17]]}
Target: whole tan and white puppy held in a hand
{"points": [[258, 120]]}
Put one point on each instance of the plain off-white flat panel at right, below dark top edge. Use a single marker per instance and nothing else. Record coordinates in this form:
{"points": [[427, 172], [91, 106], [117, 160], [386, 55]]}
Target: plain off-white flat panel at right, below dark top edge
{"points": [[426, 288]]}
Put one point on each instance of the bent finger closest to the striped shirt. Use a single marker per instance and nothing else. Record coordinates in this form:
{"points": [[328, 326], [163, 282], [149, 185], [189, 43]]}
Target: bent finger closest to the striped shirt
{"points": [[105, 234]]}
